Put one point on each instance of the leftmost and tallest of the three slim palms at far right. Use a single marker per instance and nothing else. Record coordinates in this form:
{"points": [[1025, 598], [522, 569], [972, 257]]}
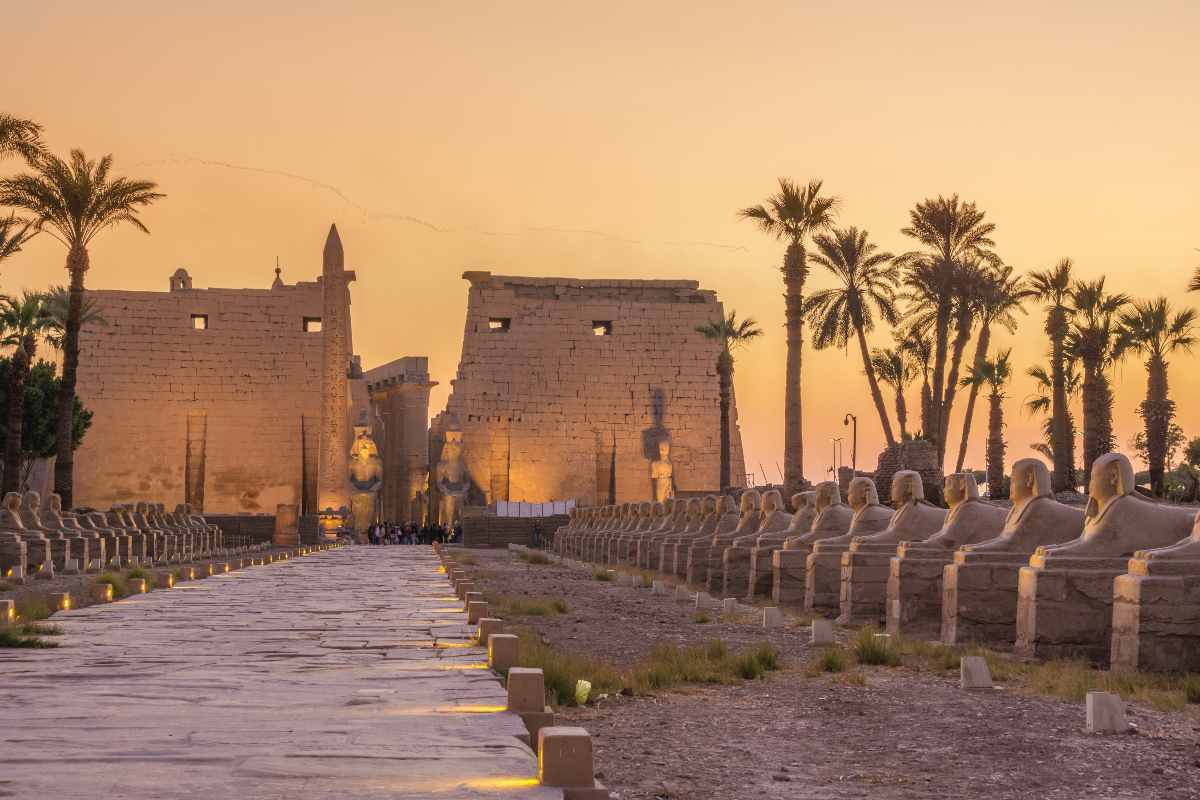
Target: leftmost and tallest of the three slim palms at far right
{"points": [[1053, 288]]}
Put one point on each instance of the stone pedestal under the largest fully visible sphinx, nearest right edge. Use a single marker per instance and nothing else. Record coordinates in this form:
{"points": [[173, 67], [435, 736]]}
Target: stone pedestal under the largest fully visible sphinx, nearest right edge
{"points": [[1067, 613]]}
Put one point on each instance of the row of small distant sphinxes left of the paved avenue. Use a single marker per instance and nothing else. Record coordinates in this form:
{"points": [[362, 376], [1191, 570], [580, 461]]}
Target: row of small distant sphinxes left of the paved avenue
{"points": [[39, 540]]}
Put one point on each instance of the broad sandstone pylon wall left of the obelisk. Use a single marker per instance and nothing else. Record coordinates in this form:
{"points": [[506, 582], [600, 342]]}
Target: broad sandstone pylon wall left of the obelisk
{"points": [[207, 396]]}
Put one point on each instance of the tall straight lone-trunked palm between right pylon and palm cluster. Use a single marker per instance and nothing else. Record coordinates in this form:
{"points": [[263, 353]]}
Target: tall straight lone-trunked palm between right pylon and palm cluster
{"points": [[795, 214]]}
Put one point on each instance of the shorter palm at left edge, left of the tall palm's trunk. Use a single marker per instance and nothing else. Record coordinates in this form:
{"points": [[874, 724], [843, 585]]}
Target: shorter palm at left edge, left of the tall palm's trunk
{"points": [[23, 322]]}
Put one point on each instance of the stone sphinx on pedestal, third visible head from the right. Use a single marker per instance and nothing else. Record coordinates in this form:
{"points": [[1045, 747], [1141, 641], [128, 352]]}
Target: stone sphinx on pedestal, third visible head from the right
{"points": [[915, 580]]}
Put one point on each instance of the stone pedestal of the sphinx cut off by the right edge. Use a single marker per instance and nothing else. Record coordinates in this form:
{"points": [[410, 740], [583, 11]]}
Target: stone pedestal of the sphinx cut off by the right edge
{"points": [[1156, 623]]}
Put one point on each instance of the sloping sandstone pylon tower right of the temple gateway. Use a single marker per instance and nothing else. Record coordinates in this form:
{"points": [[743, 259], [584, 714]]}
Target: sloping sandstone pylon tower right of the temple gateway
{"points": [[566, 386]]}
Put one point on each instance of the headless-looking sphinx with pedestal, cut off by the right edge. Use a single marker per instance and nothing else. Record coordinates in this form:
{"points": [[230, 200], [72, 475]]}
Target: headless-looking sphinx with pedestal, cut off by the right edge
{"points": [[1156, 625]]}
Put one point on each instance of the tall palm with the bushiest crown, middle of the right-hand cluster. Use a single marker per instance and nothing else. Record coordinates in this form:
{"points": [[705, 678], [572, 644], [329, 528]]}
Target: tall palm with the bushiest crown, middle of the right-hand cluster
{"points": [[953, 236]]}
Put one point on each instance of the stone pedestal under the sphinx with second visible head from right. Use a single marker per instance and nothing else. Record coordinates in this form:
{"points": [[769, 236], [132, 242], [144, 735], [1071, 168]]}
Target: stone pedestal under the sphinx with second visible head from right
{"points": [[980, 599]]}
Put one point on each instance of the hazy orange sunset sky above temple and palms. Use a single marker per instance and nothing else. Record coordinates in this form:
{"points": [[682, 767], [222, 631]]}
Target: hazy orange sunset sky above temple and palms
{"points": [[617, 141]]}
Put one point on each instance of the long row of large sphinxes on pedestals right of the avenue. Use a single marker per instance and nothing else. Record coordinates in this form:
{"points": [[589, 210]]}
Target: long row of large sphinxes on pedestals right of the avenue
{"points": [[1118, 582]]}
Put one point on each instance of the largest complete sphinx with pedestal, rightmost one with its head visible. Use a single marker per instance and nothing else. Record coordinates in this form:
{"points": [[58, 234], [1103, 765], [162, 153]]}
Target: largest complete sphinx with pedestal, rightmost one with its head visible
{"points": [[1065, 596]]}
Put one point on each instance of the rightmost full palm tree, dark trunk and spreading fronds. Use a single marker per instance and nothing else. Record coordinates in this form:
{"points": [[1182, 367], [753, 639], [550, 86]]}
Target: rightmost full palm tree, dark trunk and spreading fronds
{"points": [[1151, 329]]}
